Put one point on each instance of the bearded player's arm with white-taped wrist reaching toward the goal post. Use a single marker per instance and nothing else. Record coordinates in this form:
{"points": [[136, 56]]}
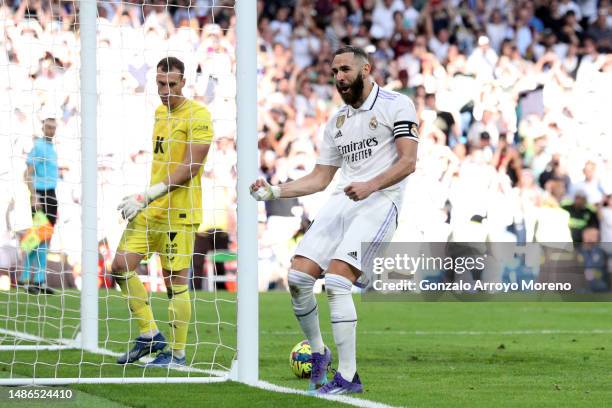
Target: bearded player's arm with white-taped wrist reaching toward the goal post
{"points": [[317, 180]]}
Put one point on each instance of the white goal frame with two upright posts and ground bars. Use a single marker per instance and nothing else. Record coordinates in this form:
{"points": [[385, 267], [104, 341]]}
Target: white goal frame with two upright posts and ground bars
{"points": [[245, 368]]}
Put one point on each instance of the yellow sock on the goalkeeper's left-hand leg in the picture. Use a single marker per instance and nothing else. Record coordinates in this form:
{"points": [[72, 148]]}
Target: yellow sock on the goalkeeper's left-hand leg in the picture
{"points": [[138, 300]]}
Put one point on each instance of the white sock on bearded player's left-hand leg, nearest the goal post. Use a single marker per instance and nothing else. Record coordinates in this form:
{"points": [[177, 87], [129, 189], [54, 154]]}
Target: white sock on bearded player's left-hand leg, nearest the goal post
{"points": [[305, 307]]}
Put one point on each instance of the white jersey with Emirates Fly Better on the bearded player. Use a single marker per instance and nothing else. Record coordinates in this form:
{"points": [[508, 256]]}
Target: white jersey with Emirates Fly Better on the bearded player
{"points": [[362, 141]]}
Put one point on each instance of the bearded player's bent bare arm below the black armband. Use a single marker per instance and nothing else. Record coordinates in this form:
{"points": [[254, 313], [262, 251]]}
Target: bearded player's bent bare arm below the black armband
{"points": [[403, 167]]}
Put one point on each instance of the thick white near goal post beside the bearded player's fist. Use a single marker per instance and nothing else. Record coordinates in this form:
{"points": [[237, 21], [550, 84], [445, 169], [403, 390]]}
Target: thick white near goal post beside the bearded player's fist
{"points": [[247, 151]]}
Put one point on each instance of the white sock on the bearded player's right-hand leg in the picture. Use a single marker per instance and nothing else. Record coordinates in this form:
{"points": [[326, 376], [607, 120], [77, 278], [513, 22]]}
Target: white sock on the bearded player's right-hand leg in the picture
{"points": [[344, 323]]}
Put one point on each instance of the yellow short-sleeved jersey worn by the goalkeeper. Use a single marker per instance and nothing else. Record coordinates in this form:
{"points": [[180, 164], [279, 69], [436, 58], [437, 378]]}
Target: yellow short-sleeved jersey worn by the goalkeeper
{"points": [[173, 131]]}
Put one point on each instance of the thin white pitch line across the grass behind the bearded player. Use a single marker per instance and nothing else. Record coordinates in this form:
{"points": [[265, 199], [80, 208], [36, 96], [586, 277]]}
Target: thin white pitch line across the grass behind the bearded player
{"points": [[458, 333]]}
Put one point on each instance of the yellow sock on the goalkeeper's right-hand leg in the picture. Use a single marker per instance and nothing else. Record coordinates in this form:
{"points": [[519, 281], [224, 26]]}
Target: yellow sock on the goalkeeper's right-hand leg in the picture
{"points": [[179, 315]]}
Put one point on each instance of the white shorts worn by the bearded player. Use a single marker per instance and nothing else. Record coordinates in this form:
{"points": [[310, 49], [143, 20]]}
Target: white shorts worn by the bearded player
{"points": [[342, 225]]}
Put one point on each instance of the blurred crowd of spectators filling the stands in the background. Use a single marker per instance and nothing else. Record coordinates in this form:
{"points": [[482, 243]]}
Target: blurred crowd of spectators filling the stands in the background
{"points": [[511, 96]]}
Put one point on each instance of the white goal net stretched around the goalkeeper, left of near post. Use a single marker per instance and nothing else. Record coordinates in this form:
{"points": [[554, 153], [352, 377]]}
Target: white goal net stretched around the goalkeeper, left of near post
{"points": [[44, 334]]}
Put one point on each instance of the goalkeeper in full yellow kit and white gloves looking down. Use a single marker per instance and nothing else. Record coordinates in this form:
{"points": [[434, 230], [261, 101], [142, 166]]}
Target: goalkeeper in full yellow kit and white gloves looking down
{"points": [[165, 217]]}
